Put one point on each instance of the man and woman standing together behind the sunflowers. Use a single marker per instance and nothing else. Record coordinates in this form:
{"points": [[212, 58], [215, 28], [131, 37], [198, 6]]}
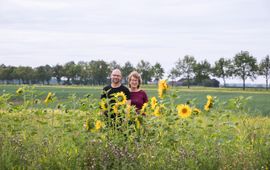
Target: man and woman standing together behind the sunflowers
{"points": [[135, 96]]}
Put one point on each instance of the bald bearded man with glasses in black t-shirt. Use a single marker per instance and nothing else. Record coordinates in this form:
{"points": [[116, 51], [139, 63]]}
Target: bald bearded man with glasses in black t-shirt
{"points": [[115, 87]]}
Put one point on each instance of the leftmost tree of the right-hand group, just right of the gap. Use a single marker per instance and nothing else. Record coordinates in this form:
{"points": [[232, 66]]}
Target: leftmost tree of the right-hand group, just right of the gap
{"points": [[185, 67]]}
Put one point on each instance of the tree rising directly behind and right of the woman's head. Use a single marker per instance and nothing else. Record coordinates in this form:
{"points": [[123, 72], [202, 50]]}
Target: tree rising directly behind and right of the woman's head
{"points": [[144, 68]]}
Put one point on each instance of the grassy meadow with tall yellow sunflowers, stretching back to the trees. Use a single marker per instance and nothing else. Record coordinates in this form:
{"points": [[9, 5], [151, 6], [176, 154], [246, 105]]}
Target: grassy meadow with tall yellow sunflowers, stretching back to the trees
{"points": [[197, 128]]}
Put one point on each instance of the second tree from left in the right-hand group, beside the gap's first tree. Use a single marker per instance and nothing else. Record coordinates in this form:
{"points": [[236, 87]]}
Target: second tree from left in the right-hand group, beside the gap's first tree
{"points": [[202, 71]]}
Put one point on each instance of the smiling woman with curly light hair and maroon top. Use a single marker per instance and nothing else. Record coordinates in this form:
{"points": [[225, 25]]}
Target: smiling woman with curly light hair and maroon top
{"points": [[137, 96]]}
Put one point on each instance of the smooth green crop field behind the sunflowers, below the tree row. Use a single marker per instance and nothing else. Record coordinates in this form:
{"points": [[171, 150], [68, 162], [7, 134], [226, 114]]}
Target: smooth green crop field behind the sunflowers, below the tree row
{"points": [[258, 104]]}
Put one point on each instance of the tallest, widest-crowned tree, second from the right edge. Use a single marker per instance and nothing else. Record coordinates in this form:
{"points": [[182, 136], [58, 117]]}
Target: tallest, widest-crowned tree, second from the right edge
{"points": [[245, 66]]}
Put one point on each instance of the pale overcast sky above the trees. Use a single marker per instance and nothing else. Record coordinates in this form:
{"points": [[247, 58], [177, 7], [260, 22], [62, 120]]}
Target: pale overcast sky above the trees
{"points": [[39, 32]]}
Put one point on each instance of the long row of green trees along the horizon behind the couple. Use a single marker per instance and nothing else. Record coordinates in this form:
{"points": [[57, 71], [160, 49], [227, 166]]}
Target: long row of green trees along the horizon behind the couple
{"points": [[242, 65]]}
